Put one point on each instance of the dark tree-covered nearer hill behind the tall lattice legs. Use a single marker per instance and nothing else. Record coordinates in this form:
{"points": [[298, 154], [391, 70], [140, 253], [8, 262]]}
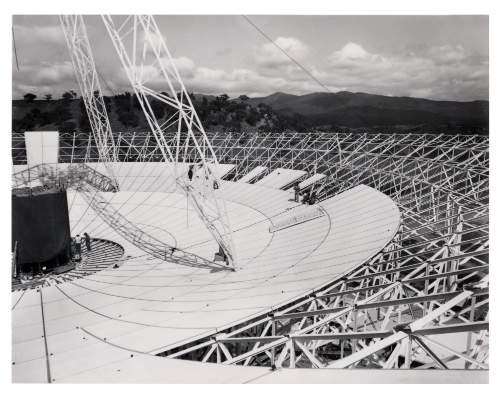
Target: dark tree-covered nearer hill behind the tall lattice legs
{"points": [[124, 111]]}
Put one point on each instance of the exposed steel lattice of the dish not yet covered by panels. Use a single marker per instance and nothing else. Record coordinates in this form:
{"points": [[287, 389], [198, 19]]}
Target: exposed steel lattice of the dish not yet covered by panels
{"points": [[432, 279]]}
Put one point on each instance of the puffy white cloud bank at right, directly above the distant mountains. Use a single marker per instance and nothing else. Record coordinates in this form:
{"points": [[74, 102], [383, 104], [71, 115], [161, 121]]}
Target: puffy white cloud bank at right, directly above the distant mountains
{"points": [[437, 72]]}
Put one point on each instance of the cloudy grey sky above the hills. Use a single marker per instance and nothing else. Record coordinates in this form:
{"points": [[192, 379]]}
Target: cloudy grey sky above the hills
{"points": [[433, 57]]}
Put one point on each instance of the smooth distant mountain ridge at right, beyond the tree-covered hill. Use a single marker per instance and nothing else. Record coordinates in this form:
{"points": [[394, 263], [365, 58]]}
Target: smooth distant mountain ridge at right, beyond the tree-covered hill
{"points": [[357, 110]]}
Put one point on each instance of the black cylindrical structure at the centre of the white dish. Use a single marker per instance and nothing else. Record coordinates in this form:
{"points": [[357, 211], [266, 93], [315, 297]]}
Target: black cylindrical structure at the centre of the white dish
{"points": [[40, 225]]}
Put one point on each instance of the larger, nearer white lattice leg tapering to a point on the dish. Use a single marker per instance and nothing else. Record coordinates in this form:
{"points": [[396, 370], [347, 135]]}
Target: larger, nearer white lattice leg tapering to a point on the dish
{"points": [[148, 64]]}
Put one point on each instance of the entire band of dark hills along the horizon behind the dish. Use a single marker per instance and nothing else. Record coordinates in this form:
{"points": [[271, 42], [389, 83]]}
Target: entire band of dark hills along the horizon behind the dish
{"points": [[277, 112]]}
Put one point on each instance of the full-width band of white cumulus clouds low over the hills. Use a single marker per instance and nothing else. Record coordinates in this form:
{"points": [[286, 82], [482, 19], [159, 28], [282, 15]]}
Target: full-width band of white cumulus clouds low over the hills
{"points": [[448, 72]]}
